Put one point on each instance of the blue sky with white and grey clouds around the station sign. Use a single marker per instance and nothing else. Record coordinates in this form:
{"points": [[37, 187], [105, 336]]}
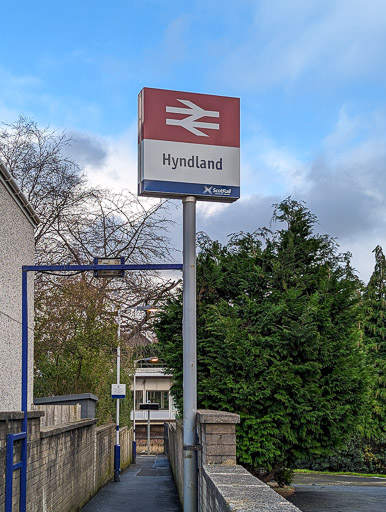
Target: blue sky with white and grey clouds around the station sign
{"points": [[310, 75]]}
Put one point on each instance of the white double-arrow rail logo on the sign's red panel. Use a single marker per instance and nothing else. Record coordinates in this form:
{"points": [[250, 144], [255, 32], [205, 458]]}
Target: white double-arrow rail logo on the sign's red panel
{"points": [[191, 121]]}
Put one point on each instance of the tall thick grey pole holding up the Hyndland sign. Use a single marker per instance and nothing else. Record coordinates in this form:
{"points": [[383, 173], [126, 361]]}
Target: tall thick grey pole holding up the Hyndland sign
{"points": [[189, 353]]}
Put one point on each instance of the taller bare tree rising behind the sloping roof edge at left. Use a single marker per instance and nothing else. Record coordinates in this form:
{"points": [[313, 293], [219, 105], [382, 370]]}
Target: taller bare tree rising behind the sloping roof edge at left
{"points": [[52, 182]]}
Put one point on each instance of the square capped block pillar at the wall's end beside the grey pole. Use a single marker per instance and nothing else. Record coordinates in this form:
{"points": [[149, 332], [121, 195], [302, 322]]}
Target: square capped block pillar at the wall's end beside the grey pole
{"points": [[217, 437]]}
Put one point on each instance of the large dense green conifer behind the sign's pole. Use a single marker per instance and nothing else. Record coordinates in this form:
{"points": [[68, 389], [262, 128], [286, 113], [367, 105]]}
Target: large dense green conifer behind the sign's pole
{"points": [[278, 340]]}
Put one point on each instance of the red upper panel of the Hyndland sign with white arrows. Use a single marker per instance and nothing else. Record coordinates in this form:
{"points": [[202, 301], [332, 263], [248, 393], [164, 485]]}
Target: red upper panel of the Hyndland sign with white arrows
{"points": [[189, 117]]}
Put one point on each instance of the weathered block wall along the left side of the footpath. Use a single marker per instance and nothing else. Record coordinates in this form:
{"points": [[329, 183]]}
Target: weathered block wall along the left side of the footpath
{"points": [[66, 464]]}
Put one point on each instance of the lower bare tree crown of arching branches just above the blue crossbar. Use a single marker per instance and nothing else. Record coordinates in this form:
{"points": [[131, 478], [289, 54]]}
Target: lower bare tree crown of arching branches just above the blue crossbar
{"points": [[112, 224]]}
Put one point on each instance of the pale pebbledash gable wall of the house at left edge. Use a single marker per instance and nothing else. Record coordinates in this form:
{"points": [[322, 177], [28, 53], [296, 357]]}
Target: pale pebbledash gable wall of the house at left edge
{"points": [[16, 249]]}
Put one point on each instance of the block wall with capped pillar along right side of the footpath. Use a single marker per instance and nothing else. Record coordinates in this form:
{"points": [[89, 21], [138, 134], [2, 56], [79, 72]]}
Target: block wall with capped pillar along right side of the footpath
{"points": [[223, 486]]}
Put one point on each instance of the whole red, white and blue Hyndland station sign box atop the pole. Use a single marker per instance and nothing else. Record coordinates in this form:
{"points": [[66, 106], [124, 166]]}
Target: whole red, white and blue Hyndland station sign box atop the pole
{"points": [[188, 144]]}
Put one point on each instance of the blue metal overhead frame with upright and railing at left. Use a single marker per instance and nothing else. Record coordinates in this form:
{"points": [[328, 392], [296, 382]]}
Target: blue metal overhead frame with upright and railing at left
{"points": [[22, 436]]}
